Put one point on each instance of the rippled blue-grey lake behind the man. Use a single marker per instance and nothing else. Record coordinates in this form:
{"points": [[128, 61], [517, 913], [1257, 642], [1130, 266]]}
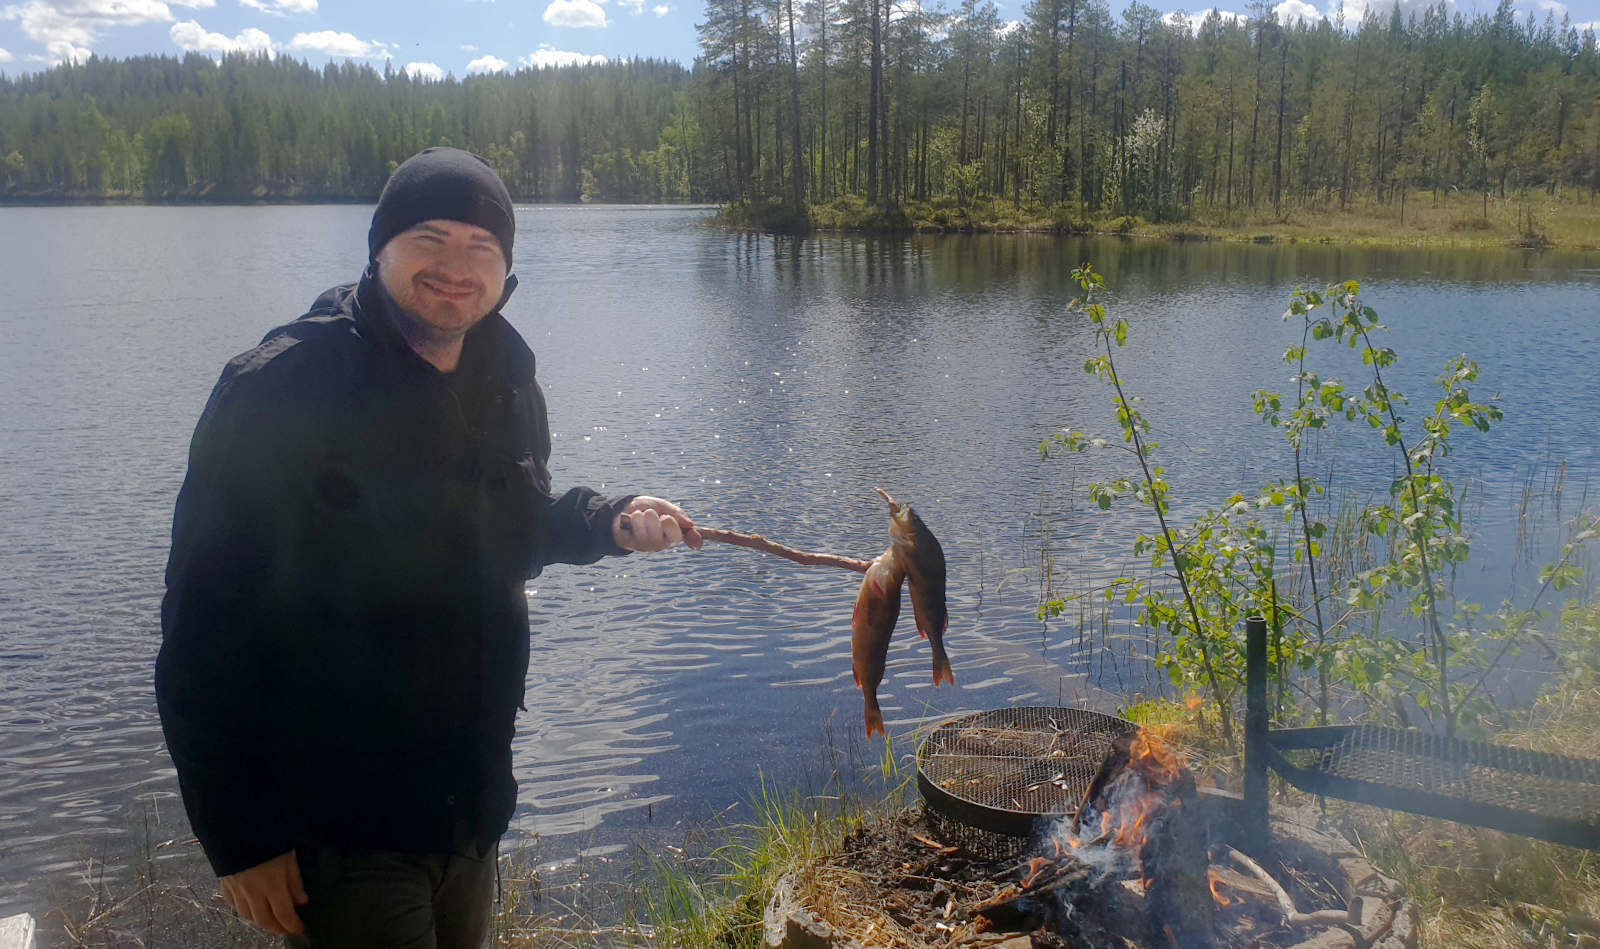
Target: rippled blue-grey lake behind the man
{"points": [[764, 383]]}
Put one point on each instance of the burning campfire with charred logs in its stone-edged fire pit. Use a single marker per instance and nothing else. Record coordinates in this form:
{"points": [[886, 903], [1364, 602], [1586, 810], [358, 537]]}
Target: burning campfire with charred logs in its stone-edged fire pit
{"points": [[1145, 862]]}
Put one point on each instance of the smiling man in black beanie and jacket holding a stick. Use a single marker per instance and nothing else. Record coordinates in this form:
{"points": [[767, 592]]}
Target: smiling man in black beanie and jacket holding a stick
{"points": [[345, 627]]}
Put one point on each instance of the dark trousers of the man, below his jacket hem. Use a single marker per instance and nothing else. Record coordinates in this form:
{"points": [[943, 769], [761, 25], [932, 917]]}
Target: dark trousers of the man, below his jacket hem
{"points": [[383, 900]]}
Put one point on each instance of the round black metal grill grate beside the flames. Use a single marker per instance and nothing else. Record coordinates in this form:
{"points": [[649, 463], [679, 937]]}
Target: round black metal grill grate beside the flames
{"points": [[1004, 769]]}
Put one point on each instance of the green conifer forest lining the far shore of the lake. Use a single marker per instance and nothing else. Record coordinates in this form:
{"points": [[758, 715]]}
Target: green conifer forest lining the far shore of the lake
{"points": [[806, 102]]}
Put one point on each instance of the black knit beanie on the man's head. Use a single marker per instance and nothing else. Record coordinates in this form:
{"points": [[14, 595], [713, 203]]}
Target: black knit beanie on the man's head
{"points": [[446, 185]]}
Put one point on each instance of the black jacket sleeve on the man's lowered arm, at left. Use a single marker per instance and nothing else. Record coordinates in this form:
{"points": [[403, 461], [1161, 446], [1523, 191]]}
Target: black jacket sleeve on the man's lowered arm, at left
{"points": [[212, 678]]}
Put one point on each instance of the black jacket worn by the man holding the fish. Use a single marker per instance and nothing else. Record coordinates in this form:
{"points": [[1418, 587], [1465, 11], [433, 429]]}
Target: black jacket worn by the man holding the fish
{"points": [[345, 625]]}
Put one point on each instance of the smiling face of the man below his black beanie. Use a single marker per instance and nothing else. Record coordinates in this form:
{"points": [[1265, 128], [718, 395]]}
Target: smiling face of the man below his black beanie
{"points": [[446, 276]]}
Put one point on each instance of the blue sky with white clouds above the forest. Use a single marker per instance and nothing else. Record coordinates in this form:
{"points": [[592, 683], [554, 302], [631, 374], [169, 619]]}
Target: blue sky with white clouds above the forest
{"points": [[431, 39]]}
